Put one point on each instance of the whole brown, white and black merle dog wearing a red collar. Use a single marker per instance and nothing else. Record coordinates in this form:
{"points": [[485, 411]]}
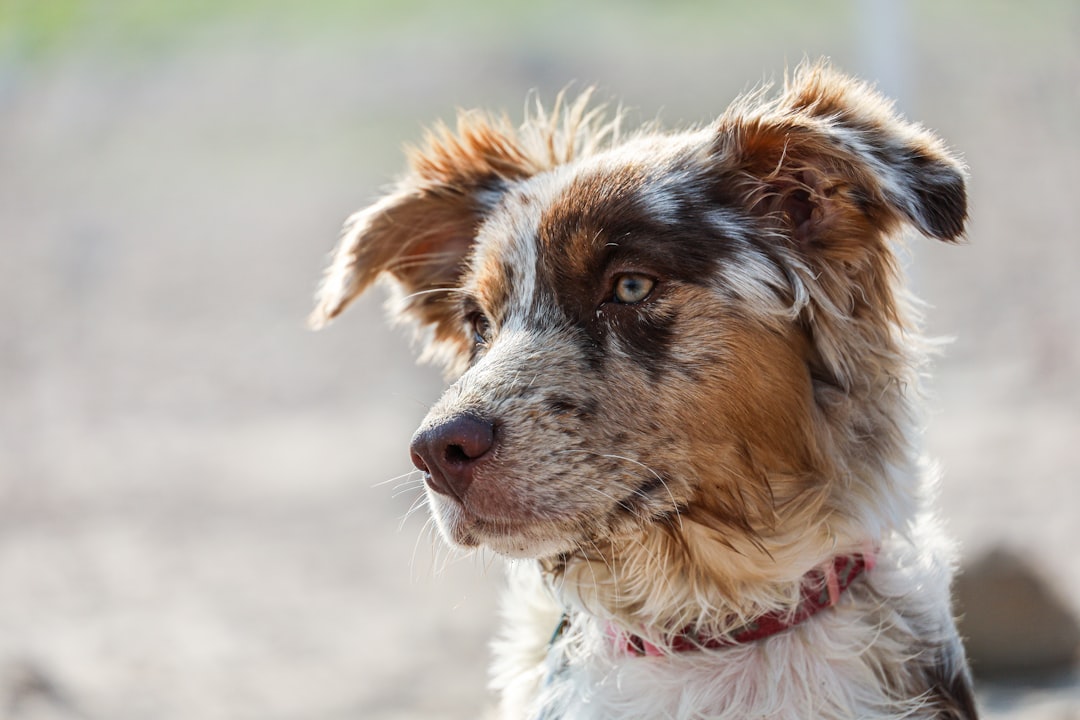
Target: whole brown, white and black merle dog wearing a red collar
{"points": [[685, 377]]}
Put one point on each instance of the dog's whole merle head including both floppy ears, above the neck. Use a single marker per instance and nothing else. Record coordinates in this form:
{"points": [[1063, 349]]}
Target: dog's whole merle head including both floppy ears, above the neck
{"points": [[659, 332]]}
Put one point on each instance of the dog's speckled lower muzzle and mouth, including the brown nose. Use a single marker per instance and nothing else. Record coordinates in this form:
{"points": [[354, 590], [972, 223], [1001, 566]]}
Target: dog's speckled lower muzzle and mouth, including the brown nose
{"points": [[488, 487]]}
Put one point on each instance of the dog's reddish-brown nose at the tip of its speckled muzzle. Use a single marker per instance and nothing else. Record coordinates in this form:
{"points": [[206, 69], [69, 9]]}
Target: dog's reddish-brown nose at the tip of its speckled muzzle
{"points": [[451, 452]]}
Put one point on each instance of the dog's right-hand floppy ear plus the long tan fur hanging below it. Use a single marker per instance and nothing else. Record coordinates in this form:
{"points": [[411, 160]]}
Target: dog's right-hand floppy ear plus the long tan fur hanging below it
{"points": [[833, 172]]}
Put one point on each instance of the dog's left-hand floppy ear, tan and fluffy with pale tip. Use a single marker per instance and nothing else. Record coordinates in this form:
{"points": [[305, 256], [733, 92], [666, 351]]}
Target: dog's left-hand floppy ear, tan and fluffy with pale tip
{"points": [[421, 235]]}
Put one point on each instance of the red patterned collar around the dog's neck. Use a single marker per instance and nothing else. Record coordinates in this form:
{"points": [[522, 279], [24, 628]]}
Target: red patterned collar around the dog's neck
{"points": [[821, 589]]}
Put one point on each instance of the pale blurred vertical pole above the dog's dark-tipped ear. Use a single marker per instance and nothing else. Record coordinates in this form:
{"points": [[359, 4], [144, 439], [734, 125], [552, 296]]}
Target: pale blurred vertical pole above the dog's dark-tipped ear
{"points": [[885, 47]]}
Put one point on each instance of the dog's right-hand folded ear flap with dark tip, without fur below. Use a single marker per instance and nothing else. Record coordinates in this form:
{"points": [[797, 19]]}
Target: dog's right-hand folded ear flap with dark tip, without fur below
{"points": [[833, 160]]}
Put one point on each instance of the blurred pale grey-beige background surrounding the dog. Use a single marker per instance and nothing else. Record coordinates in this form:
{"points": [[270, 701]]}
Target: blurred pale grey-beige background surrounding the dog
{"points": [[198, 512]]}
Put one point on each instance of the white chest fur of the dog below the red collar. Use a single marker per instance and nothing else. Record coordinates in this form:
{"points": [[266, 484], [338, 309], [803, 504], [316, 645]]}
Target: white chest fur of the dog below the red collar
{"points": [[827, 668]]}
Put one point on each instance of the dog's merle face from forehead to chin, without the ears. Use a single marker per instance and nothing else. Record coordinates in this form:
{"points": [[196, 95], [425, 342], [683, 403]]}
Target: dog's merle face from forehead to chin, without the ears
{"points": [[626, 339]]}
